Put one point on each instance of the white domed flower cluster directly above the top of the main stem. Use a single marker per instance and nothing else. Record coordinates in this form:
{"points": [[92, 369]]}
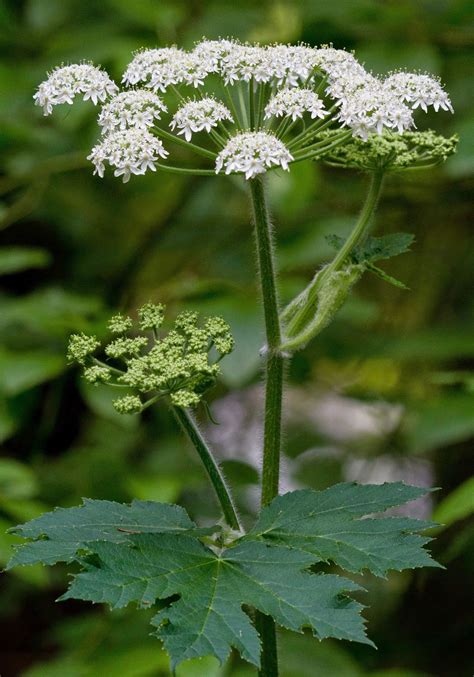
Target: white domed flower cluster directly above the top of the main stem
{"points": [[253, 153]]}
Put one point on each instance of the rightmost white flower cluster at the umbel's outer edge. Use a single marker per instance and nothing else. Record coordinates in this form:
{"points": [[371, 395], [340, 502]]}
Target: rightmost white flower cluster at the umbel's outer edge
{"points": [[418, 90]]}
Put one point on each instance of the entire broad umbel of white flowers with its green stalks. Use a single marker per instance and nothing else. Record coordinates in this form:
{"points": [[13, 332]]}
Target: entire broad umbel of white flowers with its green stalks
{"points": [[259, 107]]}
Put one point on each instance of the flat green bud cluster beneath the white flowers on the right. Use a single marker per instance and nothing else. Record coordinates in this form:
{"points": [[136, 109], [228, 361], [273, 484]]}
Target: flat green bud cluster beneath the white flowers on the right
{"points": [[390, 151]]}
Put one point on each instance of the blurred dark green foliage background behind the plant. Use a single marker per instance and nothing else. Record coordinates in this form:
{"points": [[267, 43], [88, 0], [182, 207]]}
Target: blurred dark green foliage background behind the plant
{"points": [[384, 394]]}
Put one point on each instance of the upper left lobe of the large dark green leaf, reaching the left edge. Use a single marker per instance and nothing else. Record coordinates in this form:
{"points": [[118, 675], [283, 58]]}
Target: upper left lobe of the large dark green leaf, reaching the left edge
{"points": [[62, 533]]}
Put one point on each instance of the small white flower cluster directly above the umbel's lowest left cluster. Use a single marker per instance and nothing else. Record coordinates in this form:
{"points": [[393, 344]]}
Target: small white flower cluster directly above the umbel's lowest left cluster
{"points": [[137, 108]]}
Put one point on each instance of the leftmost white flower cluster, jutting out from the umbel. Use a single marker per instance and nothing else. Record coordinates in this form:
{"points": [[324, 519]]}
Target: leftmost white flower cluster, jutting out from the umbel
{"points": [[65, 82]]}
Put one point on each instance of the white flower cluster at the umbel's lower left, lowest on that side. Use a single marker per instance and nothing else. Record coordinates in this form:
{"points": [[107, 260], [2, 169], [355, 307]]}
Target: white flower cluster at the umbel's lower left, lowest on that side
{"points": [[132, 151]]}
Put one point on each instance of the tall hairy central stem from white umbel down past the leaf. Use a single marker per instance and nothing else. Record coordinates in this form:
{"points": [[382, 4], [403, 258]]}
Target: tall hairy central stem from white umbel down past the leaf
{"points": [[273, 394]]}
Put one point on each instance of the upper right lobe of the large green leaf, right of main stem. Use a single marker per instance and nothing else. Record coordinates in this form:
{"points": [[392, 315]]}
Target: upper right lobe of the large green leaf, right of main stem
{"points": [[327, 525]]}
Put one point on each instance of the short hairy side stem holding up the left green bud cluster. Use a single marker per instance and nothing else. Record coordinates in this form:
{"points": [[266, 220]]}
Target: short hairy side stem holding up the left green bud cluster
{"points": [[188, 424]]}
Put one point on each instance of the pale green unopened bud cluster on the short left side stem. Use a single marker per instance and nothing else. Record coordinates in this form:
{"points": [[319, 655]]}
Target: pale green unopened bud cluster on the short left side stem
{"points": [[181, 364]]}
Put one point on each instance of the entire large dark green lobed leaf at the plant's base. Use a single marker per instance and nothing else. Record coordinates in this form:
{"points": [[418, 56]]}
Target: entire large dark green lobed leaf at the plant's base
{"points": [[148, 552]]}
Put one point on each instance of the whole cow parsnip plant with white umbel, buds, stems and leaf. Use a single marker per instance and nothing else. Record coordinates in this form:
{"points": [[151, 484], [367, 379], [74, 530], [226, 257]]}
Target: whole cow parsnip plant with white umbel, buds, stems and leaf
{"points": [[245, 110]]}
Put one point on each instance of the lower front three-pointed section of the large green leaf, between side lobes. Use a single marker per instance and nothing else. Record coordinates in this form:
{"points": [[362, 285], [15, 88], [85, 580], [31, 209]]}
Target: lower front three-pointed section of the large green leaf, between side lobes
{"points": [[208, 618]]}
